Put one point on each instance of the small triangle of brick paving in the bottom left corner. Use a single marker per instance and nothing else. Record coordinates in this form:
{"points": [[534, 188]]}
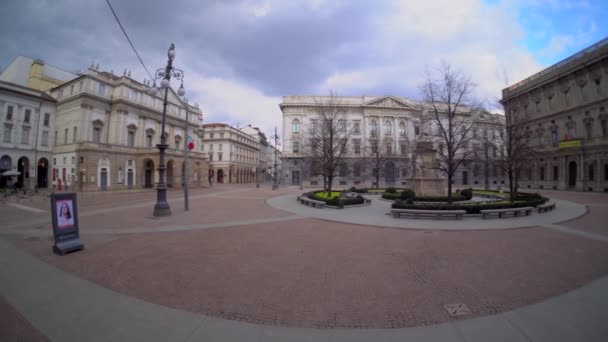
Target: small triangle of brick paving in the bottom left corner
{"points": [[14, 328]]}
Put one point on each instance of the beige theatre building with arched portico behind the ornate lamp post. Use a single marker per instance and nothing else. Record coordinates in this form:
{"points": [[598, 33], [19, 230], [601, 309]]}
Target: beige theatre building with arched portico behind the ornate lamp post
{"points": [[106, 131]]}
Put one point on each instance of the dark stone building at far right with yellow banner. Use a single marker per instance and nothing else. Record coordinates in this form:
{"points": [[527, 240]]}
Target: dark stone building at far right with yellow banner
{"points": [[566, 112]]}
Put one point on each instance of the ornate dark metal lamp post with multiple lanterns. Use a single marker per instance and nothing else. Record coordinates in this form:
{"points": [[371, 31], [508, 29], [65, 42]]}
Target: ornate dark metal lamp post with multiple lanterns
{"points": [[161, 208]]}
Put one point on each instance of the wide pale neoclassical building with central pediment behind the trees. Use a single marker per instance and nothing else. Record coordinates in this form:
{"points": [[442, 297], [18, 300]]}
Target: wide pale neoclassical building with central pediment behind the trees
{"points": [[390, 123]]}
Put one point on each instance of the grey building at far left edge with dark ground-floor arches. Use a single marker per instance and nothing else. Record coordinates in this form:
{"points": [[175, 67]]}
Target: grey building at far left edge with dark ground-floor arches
{"points": [[27, 125]]}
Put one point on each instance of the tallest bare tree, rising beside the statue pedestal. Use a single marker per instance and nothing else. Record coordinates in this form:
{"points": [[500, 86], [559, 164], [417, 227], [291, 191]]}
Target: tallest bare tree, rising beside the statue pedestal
{"points": [[449, 102]]}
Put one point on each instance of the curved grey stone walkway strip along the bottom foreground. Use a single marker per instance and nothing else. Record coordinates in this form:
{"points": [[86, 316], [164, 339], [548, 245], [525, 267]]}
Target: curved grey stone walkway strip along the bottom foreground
{"points": [[66, 308]]}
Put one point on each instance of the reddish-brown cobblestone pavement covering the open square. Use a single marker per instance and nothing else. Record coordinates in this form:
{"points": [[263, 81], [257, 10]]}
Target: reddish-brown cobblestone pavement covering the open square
{"points": [[306, 272]]}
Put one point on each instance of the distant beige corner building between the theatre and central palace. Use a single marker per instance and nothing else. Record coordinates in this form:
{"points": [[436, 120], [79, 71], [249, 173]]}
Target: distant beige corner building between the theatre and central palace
{"points": [[233, 154]]}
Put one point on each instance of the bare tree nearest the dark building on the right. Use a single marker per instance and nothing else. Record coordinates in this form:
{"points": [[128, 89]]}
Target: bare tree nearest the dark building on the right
{"points": [[518, 150]]}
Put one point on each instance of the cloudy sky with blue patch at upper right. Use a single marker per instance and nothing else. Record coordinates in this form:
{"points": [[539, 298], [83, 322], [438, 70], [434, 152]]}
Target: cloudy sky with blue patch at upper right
{"points": [[240, 57]]}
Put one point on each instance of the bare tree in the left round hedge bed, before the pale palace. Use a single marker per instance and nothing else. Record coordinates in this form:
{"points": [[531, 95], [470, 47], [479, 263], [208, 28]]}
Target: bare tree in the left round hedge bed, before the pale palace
{"points": [[327, 140]]}
